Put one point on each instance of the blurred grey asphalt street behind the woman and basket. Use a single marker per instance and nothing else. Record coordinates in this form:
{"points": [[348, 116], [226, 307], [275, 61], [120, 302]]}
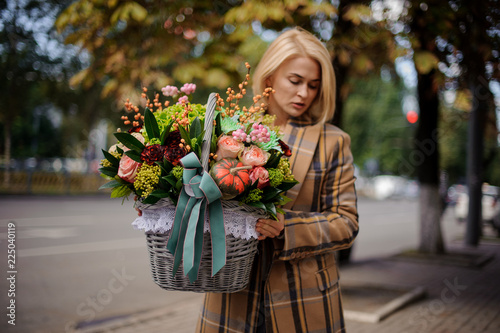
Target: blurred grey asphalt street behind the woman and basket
{"points": [[79, 260]]}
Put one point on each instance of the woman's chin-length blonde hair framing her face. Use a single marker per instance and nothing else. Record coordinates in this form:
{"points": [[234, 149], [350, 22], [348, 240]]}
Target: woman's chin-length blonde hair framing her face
{"points": [[293, 43]]}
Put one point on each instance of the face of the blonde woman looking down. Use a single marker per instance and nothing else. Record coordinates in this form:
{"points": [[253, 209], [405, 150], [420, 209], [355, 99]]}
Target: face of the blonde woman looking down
{"points": [[296, 83]]}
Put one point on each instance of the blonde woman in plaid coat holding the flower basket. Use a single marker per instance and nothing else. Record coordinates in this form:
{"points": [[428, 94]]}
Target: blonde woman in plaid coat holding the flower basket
{"points": [[294, 283]]}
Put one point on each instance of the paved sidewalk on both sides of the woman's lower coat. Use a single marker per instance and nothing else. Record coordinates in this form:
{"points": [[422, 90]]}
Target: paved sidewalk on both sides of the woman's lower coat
{"points": [[457, 298]]}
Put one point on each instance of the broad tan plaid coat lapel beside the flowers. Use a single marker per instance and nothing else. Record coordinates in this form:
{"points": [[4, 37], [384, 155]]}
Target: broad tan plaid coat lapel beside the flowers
{"points": [[302, 141]]}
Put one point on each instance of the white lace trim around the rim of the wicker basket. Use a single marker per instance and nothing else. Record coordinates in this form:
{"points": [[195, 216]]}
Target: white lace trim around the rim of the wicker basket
{"points": [[237, 222]]}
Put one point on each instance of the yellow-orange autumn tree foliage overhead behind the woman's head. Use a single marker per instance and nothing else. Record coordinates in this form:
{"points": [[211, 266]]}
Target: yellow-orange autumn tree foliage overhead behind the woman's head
{"points": [[154, 43]]}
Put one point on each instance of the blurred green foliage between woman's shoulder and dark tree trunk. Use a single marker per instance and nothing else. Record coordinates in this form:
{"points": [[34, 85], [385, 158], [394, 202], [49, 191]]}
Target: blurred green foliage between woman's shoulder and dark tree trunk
{"points": [[377, 126]]}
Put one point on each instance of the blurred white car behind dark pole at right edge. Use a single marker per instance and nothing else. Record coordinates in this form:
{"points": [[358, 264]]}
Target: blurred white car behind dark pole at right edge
{"points": [[490, 203]]}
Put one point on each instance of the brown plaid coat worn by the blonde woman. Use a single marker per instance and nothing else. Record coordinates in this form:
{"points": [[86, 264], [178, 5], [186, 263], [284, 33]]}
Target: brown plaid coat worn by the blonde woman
{"points": [[294, 282]]}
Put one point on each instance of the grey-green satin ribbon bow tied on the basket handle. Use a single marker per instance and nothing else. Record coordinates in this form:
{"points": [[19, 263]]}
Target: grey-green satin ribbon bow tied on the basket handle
{"points": [[186, 241]]}
